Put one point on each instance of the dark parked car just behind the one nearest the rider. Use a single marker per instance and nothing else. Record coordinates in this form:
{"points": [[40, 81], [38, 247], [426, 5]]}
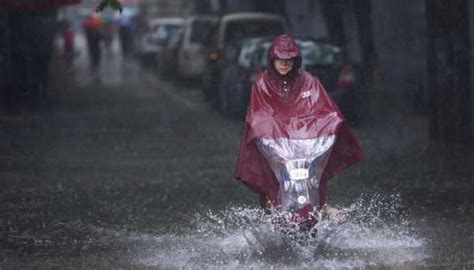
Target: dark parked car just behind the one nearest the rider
{"points": [[233, 28]]}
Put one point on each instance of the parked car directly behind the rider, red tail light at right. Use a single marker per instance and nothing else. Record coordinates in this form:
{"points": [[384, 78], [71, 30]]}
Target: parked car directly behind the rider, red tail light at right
{"points": [[321, 58]]}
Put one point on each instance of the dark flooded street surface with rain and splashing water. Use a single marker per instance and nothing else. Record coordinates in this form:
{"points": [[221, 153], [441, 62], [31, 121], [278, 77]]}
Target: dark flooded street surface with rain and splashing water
{"points": [[137, 172]]}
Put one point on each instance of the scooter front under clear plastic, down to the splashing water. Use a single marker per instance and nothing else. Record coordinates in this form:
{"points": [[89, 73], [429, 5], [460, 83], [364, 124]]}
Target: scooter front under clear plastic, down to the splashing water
{"points": [[298, 165]]}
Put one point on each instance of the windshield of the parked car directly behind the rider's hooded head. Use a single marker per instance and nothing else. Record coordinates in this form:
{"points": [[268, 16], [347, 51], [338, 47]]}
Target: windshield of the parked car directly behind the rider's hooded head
{"points": [[323, 54]]}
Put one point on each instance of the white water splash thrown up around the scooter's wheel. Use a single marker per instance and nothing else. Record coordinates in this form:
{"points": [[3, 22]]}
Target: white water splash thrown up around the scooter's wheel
{"points": [[374, 232]]}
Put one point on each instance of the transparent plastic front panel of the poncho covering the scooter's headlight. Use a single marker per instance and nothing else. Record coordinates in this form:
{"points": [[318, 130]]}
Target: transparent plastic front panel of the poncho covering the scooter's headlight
{"points": [[298, 165]]}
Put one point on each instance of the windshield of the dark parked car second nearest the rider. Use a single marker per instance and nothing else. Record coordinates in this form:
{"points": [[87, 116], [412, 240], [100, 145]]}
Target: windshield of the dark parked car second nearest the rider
{"points": [[238, 30]]}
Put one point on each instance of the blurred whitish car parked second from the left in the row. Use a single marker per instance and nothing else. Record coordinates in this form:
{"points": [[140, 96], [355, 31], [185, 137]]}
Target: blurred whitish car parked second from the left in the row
{"points": [[192, 55]]}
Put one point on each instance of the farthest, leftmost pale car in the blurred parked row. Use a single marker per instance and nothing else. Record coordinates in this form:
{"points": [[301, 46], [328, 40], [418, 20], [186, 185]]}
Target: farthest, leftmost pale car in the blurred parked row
{"points": [[151, 43]]}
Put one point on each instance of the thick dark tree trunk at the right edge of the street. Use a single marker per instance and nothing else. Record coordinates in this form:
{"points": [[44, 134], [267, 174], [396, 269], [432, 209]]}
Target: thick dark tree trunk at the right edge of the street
{"points": [[448, 69]]}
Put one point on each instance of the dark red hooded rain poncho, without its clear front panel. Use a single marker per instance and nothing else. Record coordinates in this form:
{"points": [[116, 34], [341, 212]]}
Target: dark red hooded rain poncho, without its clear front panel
{"points": [[294, 106]]}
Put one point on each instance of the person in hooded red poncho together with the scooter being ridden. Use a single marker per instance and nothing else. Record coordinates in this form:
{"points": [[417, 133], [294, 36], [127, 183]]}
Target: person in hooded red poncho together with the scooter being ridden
{"points": [[295, 137]]}
